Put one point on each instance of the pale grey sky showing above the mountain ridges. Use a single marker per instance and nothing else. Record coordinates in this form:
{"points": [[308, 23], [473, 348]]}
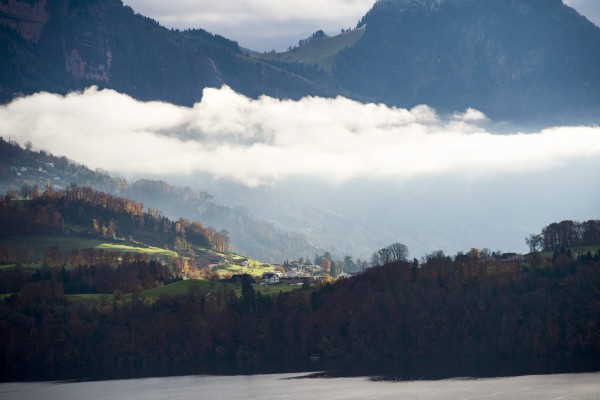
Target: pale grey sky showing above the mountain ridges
{"points": [[276, 24]]}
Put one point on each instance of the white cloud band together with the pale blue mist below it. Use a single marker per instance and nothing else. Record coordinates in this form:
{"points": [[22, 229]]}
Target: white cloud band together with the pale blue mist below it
{"points": [[352, 177]]}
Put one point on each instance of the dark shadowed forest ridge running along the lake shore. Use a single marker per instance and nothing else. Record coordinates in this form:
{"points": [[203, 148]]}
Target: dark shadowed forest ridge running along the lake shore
{"points": [[462, 306]]}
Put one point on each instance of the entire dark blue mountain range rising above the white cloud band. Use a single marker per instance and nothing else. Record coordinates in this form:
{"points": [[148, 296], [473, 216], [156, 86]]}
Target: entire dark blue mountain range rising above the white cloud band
{"points": [[518, 60]]}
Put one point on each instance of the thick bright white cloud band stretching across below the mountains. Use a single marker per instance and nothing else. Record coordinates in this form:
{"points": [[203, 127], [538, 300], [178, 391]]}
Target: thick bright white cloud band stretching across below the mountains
{"points": [[230, 136]]}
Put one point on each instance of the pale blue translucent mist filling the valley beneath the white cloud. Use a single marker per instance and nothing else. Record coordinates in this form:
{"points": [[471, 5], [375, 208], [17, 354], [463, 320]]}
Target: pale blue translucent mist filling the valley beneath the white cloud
{"points": [[449, 213]]}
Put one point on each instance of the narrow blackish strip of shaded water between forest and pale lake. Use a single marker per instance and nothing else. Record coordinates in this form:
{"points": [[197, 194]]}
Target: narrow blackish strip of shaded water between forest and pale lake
{"points": [[413, 369]]}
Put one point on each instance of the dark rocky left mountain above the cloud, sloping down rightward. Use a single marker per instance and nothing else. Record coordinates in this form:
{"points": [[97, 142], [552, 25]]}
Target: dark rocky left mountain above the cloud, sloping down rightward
{"points": [[65, 45]]}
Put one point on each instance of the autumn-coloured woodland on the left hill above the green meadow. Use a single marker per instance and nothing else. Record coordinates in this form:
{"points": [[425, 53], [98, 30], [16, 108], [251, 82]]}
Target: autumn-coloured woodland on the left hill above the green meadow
{"points": [[53, 212]]}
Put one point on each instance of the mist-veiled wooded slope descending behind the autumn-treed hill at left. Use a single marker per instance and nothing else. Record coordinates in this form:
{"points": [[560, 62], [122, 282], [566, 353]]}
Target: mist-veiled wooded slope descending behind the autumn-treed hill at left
{"points": [[248, 235]]}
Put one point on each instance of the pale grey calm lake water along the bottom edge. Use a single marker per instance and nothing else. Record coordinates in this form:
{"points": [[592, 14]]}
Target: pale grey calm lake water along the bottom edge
{"points": [[297, 386]]}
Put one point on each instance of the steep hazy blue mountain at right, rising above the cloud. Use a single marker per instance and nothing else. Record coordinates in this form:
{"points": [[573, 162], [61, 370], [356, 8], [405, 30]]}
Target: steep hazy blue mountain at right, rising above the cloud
{"points": [[513, 59]]}
